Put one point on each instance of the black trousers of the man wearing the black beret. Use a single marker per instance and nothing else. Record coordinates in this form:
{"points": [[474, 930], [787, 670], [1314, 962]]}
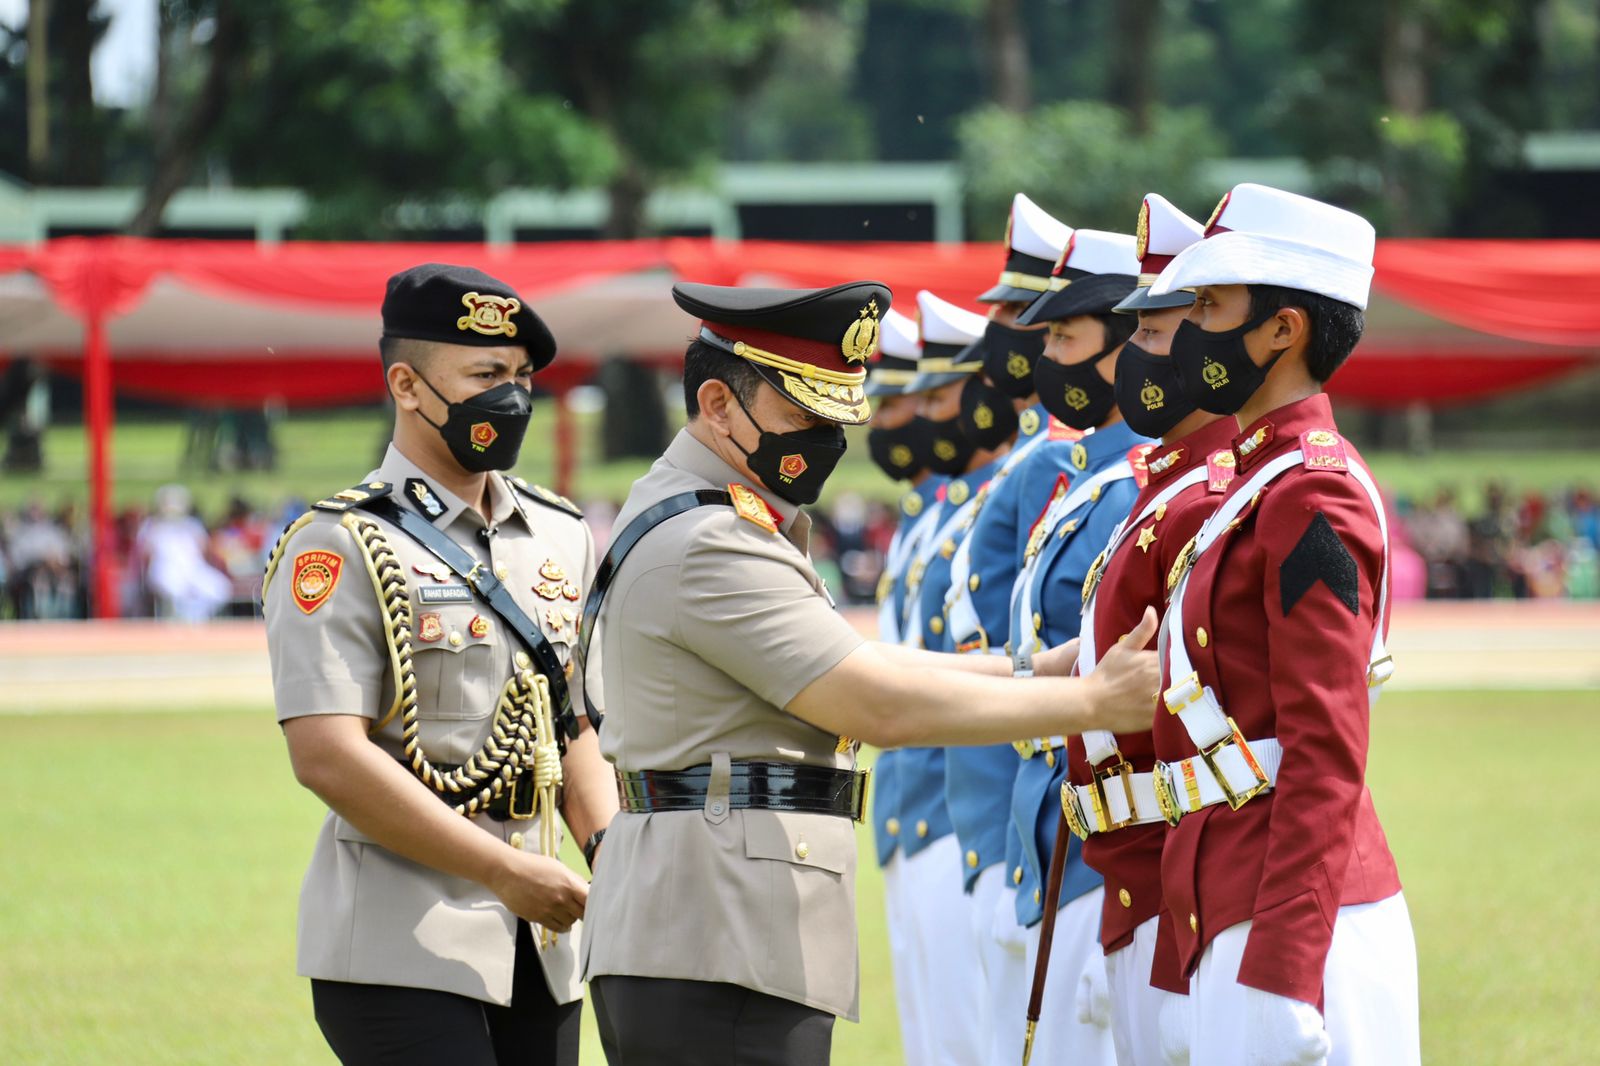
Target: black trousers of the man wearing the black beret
{"points": [[385, 1025]]}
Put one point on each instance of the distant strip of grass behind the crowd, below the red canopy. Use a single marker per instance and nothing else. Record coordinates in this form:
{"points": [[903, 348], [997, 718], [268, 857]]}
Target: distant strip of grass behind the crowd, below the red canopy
{"points": [[326, 452]]}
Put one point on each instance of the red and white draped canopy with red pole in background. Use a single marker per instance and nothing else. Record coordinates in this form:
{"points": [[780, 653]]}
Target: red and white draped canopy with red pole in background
{"points": [[230, 323]]}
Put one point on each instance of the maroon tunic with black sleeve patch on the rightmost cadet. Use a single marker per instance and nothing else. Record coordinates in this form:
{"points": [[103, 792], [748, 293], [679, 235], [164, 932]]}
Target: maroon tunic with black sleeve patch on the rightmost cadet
{"points": [[1279, 620]]}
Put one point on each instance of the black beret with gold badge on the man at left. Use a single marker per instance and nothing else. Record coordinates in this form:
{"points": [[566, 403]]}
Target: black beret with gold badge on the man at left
{"points": [[457, 305]]}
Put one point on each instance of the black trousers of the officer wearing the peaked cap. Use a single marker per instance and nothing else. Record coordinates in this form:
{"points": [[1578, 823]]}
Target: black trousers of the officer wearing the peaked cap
{"points": [[658, 1022]]}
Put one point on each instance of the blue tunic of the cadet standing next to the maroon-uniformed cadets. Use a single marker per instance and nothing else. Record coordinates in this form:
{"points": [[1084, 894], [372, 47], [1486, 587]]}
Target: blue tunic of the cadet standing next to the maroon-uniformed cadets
{"points": [[1047, 604]]}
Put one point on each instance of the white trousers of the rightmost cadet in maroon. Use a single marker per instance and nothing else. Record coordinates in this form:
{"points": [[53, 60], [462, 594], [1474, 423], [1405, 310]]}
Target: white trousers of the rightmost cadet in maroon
{"points": [[1370, 1000]]}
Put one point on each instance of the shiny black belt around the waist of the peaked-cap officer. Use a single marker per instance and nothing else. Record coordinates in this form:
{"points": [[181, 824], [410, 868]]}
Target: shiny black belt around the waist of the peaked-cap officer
{"points": [[751, 787]]}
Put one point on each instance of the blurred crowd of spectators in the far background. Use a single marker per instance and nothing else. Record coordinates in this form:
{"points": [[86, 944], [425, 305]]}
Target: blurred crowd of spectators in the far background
{"points": [[172, 561]]}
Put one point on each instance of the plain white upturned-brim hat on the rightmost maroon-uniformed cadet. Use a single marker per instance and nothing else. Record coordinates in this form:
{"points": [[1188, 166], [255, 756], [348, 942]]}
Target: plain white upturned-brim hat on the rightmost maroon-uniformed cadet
{"points": [[1262, 236]]}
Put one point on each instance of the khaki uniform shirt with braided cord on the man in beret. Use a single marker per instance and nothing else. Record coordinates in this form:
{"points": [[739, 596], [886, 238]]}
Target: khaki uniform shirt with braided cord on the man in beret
{"points": [[367, 915]]}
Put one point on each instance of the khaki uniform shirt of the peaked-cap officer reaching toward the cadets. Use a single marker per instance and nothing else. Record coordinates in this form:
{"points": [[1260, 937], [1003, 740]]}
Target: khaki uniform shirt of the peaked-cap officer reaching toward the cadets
{"points": [[713, 627]]}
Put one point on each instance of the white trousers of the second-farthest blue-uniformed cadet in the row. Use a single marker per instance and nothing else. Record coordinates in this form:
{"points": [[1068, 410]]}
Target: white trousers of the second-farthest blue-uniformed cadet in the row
{"points": [[948, 980]]}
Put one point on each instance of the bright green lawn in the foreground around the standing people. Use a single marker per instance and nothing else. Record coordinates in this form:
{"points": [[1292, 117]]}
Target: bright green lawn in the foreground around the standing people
{"points": [[151, 870]]}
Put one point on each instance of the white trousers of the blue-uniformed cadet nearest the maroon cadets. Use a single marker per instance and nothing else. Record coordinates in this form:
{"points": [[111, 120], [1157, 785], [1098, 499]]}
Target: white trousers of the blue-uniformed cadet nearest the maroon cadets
{"points": [[1062, 1040]]}
